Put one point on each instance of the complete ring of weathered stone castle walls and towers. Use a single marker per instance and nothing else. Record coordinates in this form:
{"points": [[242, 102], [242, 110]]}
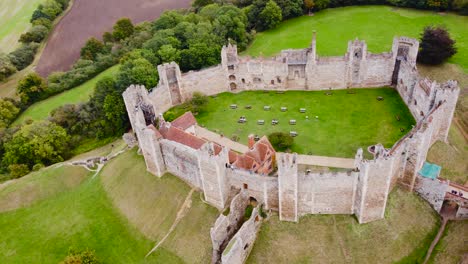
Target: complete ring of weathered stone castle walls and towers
{"points": [[295, 190]]}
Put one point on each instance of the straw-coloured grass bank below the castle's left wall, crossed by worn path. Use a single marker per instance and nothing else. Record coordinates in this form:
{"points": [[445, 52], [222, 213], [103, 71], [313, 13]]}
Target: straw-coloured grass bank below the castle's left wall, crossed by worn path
{"points": [[151, 205]]}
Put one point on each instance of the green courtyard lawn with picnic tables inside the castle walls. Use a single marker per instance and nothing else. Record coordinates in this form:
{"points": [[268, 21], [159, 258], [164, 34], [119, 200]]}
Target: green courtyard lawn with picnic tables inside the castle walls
{"points": [[345, 121]]}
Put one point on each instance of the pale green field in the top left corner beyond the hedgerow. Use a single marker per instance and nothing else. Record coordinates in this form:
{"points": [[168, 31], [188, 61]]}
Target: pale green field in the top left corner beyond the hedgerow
{"points": [[14, 17]]}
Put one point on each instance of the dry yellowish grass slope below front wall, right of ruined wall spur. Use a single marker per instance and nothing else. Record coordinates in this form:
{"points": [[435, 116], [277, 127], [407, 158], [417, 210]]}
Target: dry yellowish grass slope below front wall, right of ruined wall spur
{"points": [[407, 230]]}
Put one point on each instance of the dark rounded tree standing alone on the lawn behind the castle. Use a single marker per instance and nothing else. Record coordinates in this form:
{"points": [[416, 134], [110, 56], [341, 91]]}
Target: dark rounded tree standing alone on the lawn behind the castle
{"points": [[436, 46]]}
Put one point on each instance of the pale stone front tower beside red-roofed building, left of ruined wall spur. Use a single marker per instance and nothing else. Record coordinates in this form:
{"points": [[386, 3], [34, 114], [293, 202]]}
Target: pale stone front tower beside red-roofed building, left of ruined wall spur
{"points": [[212, 165]]}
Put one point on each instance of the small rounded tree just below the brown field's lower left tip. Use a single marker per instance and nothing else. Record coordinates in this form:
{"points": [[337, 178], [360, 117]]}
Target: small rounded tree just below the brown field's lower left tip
{"points": [[31, 88]]}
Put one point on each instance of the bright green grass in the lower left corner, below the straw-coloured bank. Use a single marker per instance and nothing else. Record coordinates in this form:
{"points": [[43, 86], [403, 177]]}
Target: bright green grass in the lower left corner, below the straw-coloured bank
{"points": [[82, 218]]}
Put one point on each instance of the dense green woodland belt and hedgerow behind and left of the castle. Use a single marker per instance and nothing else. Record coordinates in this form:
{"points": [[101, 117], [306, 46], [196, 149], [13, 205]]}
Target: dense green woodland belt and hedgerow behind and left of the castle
{"points": [[192, 38]]}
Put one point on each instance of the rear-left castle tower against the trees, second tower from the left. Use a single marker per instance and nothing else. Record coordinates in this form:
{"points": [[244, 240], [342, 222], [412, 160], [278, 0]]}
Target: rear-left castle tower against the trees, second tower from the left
{"points": [[170, 78]]}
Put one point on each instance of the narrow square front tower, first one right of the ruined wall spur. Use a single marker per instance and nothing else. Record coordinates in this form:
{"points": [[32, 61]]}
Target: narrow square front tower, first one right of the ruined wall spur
{"points": [[287, 186]]}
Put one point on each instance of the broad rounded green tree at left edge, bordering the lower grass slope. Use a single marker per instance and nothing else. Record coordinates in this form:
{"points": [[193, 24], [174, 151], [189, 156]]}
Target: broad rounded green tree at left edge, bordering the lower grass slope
{"points": [[40, 142]]}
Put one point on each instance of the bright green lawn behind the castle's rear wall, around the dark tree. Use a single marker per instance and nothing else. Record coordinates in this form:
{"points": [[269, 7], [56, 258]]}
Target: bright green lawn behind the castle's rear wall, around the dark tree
{"points": [[375, 24]]}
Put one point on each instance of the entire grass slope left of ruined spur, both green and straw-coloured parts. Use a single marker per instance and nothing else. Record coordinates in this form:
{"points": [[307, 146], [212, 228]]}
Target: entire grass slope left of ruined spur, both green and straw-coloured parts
{"points": [[67, 208]]}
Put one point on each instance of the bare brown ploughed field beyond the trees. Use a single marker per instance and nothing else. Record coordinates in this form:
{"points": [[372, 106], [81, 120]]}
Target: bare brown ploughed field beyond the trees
{"points": [[91, 18]]}
